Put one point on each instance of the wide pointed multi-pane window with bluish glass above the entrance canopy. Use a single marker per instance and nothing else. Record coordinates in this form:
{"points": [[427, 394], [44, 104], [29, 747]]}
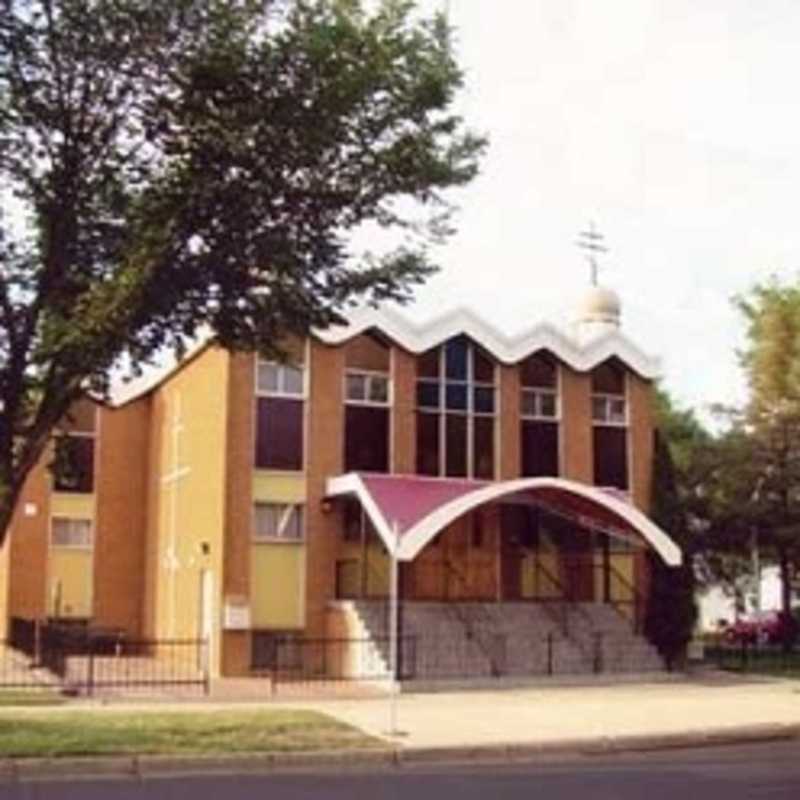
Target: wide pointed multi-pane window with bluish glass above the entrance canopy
{"points": [[456, 401]]}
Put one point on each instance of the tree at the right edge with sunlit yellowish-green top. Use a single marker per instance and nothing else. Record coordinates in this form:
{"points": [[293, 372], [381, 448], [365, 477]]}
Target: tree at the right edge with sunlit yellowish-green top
{"points": [[751, 493]]}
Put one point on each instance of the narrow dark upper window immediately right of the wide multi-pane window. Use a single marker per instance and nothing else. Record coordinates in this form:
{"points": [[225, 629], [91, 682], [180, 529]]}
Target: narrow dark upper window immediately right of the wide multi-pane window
{"points": [[540, 413]]}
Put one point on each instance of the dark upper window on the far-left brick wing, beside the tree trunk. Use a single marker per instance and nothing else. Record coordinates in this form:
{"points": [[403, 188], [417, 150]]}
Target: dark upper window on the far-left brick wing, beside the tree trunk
{"points": [[74, 451]]}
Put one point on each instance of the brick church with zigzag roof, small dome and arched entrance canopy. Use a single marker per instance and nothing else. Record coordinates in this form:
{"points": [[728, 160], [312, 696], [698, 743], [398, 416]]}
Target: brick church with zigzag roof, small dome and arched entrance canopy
{"points": [[251, 503]]}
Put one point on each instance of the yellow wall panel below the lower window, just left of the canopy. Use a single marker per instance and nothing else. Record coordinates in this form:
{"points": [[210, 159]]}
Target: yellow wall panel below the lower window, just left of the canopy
{"points": [[278, 585]]}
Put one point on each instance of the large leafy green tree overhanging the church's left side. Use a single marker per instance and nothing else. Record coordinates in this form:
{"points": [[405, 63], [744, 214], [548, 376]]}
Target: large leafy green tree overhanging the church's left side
{"points": [[204, 163]]}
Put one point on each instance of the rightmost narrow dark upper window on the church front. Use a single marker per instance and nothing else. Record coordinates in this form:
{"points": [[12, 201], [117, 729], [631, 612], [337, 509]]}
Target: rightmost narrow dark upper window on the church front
{"points": [[610, 425]]}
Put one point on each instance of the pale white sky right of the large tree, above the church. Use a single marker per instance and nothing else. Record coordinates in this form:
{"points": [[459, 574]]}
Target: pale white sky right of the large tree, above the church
{"points": [[674, 125]]}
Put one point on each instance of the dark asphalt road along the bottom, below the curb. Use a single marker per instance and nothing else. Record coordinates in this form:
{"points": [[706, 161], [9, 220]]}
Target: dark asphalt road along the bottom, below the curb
{"points": [[755, 772]]}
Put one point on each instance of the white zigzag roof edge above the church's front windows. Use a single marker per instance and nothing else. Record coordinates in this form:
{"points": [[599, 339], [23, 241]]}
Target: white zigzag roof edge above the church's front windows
{"points": [[417, 338]]}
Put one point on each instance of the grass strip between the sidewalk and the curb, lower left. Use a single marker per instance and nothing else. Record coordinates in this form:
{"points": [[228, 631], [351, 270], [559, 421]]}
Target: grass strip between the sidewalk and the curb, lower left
{"points": [[84, 733]]}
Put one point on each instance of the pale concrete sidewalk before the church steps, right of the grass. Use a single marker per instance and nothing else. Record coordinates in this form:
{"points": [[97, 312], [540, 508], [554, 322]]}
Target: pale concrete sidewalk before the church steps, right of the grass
{"points": [[597, 713]]}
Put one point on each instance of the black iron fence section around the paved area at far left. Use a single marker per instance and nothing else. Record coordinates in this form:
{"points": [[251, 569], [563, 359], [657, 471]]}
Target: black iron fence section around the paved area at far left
{"points": [[80, 659]]}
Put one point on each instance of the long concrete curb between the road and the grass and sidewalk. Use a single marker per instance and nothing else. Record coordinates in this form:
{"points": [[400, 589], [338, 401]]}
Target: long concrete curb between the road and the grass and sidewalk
{"points": [[143, 767]]}
